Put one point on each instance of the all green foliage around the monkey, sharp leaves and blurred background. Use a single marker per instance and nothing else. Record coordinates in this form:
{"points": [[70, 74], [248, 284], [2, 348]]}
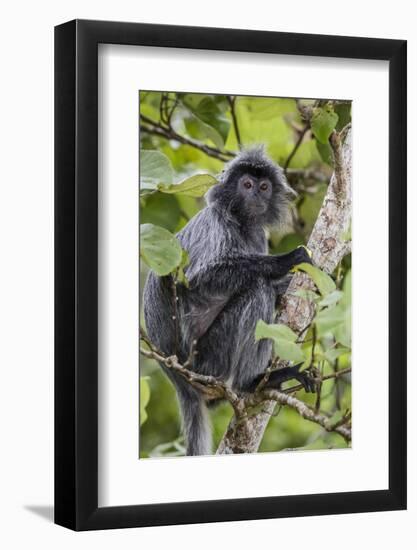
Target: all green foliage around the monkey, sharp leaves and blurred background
{"points": [[174, 176]]}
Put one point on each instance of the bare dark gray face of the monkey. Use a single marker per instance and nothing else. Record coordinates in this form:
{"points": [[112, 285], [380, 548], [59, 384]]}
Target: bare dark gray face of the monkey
{"points": [[255, 193]]}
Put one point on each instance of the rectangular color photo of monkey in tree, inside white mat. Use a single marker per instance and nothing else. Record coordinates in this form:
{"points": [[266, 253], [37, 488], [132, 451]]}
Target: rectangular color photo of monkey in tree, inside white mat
{"points": [[245, 274]]}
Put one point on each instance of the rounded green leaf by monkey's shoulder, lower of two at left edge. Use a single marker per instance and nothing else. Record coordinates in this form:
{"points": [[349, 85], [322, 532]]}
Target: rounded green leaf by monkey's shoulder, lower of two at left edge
{"points": [[159, 249]]}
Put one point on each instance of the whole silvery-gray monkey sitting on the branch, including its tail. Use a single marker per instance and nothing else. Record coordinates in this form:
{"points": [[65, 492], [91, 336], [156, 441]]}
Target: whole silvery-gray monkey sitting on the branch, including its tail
{"points": [[233, 283]]}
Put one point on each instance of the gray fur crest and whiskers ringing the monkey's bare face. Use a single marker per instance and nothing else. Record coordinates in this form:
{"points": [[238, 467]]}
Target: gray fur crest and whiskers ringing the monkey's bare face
{"points": [[255, 163]]}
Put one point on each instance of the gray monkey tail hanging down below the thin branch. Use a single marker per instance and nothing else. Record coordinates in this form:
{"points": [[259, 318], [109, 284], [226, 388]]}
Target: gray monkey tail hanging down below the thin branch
{"points": [[196, 424]]}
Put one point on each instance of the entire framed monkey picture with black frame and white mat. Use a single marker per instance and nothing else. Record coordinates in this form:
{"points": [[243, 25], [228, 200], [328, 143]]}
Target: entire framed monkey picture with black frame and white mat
{"points": [[203, 268]]}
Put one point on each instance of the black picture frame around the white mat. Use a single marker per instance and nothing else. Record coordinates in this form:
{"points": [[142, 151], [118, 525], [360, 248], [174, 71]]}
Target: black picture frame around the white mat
{"points": [[76, 272]]}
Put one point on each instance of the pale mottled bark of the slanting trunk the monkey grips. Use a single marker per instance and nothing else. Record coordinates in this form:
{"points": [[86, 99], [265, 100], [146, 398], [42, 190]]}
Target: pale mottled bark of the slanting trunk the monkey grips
{"points": [[328, 246]]}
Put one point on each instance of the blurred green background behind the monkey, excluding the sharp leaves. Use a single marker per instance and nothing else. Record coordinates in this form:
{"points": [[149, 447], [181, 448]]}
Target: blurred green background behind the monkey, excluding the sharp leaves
{"points": [[195, 134]]}
